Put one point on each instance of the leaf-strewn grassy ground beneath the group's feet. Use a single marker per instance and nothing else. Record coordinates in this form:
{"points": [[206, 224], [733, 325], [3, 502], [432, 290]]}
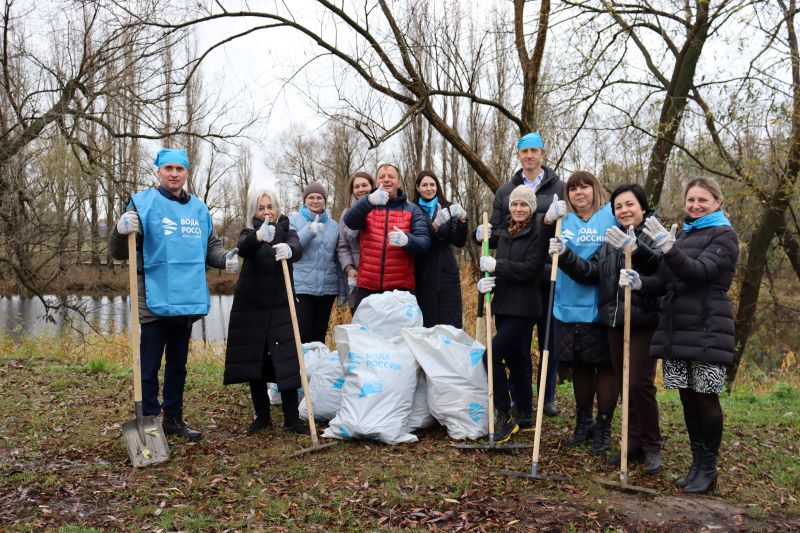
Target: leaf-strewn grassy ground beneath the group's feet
{"points": [[63, 465]]}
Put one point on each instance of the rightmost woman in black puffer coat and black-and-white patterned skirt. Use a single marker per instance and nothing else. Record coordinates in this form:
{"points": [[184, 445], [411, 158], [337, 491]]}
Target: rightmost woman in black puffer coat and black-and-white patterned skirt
{"points": [[695, 333]]}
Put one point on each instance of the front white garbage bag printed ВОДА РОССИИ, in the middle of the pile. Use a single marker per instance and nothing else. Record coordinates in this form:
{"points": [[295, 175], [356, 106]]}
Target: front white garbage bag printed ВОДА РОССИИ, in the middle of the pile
{"points": [[380, 376]]}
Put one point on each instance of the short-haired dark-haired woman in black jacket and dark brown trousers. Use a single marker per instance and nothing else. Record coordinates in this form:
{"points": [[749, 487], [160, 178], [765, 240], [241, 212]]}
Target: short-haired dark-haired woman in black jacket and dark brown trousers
{"points": [[629, 204]]}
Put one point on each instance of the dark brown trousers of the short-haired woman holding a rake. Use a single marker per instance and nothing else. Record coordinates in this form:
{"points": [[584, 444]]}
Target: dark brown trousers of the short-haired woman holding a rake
{"points": [[643, 427]]}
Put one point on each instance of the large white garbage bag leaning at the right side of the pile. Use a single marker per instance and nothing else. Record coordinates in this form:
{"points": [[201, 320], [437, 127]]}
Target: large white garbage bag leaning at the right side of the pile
{"points": [[457, 387]]}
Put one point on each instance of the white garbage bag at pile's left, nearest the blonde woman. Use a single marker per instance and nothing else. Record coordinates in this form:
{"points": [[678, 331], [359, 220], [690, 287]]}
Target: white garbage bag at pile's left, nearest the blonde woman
{"points": [[325, 381]]}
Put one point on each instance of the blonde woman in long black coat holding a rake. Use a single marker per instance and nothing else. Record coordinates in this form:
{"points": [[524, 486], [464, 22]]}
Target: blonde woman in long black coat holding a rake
{"points": [[260, 337]]}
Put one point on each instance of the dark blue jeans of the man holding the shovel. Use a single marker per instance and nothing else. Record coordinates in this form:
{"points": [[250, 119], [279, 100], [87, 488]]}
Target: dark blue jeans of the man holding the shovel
{"points": [[160, 337]]}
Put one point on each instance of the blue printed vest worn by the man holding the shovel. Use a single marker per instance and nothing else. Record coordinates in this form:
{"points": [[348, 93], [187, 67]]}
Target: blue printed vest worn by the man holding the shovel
{"points": [[174, 251]]}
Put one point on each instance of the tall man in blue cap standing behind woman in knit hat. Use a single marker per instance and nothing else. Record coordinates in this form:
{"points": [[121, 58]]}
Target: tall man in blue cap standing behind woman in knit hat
{"points": [[545, 183]]}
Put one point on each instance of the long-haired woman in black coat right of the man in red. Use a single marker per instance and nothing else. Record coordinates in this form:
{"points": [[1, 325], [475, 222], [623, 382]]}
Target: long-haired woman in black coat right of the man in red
{"points": [[438, 283]]}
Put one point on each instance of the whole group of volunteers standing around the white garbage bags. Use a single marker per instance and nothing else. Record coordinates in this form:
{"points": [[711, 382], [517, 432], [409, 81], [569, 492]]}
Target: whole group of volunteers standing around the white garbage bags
{"points": [[386, 241]]}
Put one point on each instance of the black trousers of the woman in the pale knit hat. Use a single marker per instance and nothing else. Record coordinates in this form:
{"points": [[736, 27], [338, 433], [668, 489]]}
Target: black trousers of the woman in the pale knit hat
{"points": [[511, 350]]}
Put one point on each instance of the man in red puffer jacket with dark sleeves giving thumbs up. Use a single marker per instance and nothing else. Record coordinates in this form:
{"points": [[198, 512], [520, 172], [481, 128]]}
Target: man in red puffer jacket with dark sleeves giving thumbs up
{"points": [[393, 230]]}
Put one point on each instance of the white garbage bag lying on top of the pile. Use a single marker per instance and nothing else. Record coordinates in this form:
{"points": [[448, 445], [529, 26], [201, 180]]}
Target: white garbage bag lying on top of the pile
{"points": [[388, 312]]}
